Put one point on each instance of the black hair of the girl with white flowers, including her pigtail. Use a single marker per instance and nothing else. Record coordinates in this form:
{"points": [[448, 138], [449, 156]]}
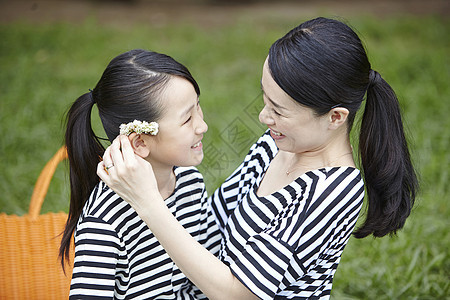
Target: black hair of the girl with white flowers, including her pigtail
{"points": [[129, 89]]}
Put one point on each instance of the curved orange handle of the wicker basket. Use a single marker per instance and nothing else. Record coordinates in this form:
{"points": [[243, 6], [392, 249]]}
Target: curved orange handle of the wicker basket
{"points": [[43, 182]]}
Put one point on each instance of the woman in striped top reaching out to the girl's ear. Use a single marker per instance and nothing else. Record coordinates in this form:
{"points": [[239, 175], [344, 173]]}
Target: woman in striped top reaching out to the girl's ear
{"points": [[288, 211]]}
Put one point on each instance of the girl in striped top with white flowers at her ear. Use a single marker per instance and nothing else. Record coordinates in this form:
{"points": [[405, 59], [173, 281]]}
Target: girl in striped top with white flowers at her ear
{"points": [[116, 254]]}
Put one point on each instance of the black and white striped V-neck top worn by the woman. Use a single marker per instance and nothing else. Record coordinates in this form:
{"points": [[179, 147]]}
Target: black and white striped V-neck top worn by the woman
{"points": [[286, 245]]}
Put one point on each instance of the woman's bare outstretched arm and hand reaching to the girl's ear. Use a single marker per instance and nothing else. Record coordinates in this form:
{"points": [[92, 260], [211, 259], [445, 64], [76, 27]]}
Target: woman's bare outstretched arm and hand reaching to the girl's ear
{"points": [[132, 178]]}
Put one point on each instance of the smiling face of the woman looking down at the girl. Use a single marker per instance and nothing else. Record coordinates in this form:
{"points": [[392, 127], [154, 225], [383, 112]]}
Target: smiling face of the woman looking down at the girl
{"points": [[294, 127]]}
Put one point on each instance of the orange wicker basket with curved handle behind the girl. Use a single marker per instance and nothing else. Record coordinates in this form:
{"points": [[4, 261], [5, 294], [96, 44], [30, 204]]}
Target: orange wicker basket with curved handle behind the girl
{"points": [[29, 264]]}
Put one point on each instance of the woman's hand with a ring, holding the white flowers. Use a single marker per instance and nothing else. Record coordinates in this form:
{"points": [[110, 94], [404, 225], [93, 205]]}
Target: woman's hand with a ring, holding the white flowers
{"points": [[129, 175]]}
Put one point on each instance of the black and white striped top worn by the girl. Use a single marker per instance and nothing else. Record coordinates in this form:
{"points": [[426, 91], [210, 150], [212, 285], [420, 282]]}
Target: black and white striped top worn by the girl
{"points": [[117, 256]]}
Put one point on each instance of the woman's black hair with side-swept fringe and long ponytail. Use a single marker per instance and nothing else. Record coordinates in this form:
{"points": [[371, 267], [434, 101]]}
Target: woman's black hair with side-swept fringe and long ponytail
{"points": [[322, 64]]}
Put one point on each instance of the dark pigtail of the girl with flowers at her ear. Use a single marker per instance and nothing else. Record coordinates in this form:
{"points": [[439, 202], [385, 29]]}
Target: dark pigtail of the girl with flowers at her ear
{"points": [[84, 151]]}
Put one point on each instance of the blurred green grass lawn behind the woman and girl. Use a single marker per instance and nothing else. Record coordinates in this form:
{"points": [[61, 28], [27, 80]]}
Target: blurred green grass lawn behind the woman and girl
{"points": [[44, 68]]}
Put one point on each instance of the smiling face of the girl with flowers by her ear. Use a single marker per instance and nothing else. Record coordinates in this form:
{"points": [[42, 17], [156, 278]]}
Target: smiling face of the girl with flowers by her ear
{"points": [[181, 127]]}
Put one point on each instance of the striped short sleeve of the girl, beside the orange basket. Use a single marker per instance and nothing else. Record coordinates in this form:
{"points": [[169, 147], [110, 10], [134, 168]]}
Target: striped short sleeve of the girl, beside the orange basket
{"points": [[97, 253]]}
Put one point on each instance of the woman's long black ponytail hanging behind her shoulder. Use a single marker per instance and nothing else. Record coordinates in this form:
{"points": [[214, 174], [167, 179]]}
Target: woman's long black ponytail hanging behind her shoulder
{"points": [[389, 175]]}
